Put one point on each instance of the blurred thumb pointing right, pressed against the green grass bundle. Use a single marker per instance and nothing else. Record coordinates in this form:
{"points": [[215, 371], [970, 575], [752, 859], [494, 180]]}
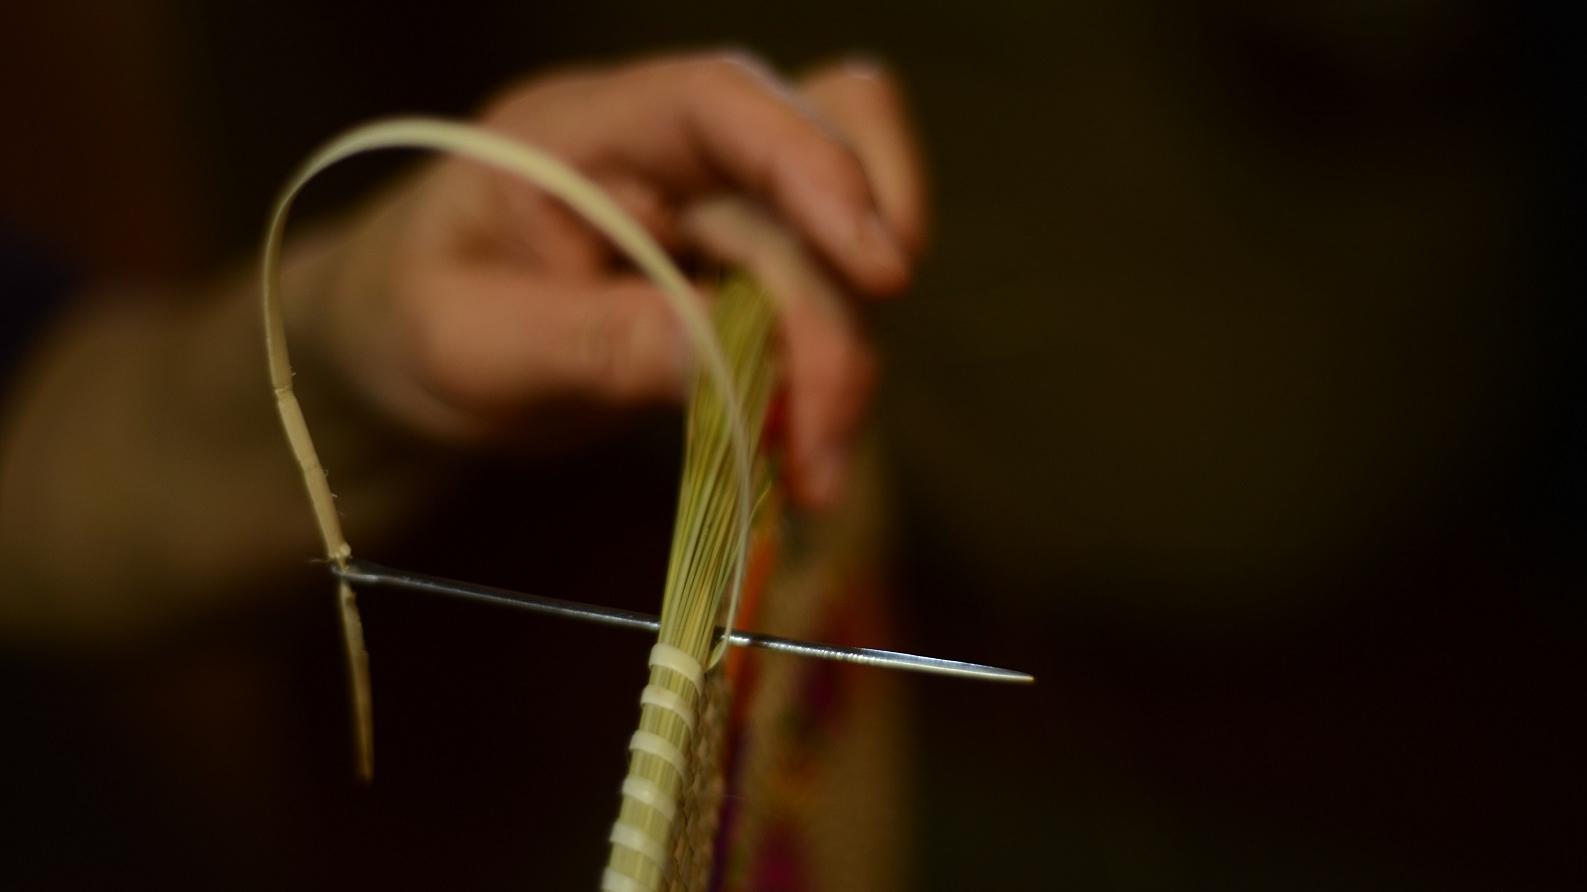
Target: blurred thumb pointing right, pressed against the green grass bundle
{"points": [[490, 342]]}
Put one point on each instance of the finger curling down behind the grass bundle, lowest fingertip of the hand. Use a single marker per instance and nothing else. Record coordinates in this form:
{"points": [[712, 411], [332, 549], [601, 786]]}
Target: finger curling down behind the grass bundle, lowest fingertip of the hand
{"points": [[826, 366]]}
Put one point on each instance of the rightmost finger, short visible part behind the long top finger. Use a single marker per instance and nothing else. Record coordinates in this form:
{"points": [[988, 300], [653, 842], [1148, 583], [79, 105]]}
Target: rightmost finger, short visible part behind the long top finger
{"points": [[864, 104]]}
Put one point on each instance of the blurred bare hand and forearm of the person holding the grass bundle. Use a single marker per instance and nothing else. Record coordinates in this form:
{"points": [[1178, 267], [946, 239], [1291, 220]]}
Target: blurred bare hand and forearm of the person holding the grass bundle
{"points": [[142, 467]]}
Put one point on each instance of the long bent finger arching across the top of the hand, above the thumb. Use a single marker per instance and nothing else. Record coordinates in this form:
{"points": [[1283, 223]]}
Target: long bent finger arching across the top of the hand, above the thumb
{"points": [[696, 125]]}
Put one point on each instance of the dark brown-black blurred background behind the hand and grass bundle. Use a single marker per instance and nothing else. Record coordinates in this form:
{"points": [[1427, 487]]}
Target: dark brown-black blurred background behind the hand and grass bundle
{"points": [[1240, 399]]}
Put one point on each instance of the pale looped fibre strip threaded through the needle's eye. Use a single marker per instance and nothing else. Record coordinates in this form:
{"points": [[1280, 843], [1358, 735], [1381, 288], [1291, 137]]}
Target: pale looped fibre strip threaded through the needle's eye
{"points": [[588, 201]]}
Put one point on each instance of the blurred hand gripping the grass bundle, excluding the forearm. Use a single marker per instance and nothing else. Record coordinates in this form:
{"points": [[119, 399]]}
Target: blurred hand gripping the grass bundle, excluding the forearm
{"points": [[471, 306]]}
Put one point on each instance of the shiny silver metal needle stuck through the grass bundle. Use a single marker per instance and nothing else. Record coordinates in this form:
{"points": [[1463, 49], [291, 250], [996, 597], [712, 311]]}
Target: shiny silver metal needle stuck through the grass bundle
{"points": [[367, 574]]}
